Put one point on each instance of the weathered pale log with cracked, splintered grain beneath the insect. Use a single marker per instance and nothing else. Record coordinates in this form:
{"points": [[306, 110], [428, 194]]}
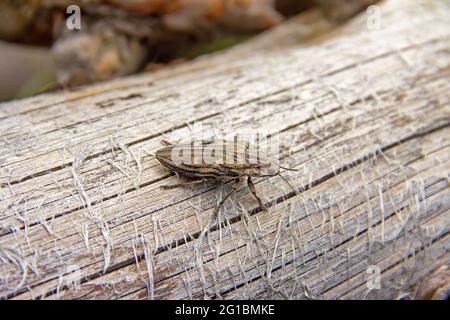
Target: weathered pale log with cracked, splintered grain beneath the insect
{"points": [[364, 114]]}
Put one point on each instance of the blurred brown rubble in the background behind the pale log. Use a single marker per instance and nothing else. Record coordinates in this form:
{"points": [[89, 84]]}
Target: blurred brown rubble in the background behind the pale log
{"points": [[121, 37]]}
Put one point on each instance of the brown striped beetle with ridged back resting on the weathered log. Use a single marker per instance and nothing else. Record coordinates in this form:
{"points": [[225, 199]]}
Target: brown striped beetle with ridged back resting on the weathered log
{"points": [[219, 159]]}
